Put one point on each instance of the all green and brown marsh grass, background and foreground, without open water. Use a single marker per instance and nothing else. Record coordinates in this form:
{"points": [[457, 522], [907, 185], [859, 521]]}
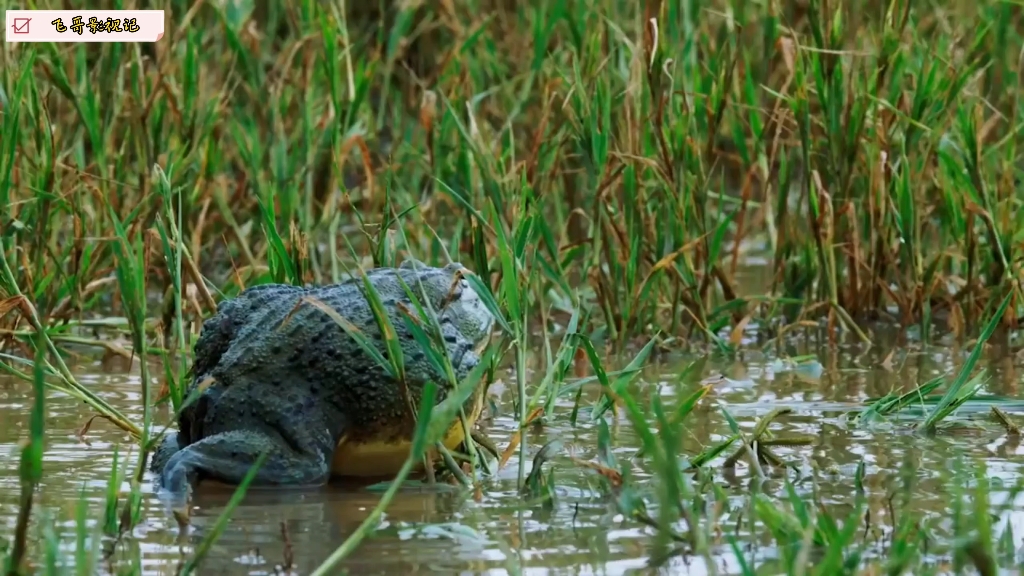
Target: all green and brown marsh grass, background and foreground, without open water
{"points": [[605, 168]]}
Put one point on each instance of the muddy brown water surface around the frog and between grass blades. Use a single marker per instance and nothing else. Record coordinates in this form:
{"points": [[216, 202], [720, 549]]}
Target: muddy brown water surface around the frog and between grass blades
{"points": [[452, 533]]}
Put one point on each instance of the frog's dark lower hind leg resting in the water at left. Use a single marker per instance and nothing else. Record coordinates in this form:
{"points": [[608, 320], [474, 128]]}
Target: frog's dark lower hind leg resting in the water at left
{"points": [[229, 457]]}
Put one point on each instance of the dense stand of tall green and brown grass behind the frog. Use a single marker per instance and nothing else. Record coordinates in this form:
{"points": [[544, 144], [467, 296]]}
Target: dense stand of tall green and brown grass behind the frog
{"points": [[632, 152]]}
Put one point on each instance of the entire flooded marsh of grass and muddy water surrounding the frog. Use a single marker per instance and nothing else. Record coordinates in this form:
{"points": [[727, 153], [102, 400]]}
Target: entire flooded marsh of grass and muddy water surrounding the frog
{"points": [[755, 268]]}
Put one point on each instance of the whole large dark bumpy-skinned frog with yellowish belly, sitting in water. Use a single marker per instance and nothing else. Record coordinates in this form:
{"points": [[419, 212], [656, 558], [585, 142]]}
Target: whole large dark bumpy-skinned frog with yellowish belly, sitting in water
{"points": [[288, 381]]}
